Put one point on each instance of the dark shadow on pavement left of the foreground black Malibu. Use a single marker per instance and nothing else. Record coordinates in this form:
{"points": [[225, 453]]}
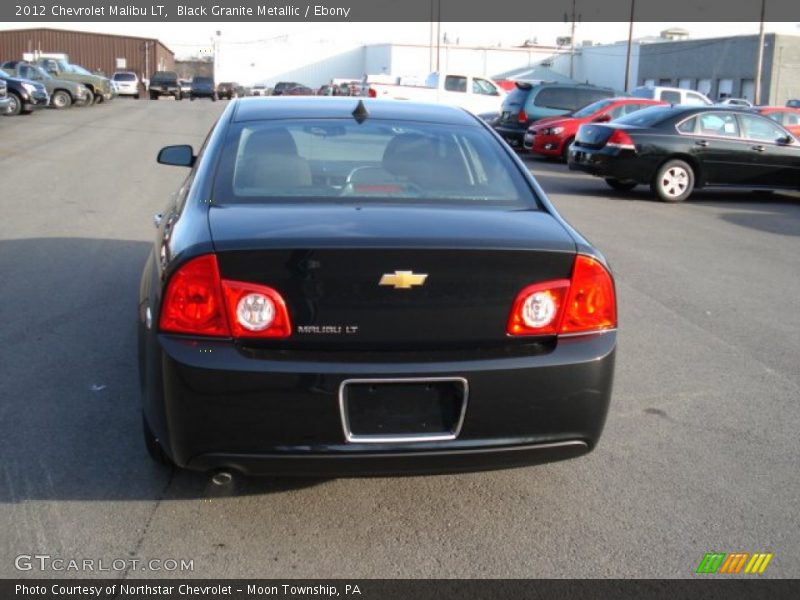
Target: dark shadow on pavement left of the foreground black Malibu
{"points": [[70, 419]]}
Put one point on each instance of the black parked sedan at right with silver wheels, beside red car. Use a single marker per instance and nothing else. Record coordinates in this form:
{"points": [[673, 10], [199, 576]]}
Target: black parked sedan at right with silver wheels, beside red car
{"points": [[676, 149]]}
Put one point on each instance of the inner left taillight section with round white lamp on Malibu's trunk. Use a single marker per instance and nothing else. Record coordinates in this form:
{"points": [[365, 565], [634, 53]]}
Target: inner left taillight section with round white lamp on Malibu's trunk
{"points": [[256, 310]]}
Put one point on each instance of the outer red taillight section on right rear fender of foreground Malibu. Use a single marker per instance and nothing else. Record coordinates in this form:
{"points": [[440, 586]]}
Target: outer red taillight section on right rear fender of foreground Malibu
{"points": [[591, 303]]}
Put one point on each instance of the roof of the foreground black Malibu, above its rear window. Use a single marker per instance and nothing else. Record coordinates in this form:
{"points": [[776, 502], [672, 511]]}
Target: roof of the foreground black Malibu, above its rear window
{"points": [[338, 107]]}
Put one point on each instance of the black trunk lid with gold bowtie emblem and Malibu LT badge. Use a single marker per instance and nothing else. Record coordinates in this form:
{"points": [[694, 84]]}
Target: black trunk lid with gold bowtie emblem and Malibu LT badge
{"points": [[401, 277]]}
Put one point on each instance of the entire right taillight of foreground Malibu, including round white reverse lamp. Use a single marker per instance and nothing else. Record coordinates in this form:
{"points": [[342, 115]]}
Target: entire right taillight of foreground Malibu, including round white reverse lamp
{"points": [[585, 303]]}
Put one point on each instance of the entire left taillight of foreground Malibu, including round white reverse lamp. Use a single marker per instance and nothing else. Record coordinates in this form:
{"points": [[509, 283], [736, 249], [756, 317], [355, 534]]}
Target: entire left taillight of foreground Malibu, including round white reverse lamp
{"points": [[197, 301]]}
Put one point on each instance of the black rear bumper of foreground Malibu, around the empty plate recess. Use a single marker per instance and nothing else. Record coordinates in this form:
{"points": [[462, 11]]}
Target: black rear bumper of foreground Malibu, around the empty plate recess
{"points": [[215, 407]]}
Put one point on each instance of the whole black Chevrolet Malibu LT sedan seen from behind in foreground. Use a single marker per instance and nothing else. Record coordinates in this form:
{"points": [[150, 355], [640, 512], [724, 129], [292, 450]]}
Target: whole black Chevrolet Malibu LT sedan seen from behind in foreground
{"points": [[364, 287]]}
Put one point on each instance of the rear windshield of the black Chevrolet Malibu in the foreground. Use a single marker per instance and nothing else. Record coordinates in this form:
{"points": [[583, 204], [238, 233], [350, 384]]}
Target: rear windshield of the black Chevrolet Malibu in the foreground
{"points": [[377, 160]]}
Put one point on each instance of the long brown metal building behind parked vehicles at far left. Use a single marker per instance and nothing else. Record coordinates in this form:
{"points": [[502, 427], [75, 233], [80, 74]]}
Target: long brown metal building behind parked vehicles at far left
{"points": [[93, 51]]}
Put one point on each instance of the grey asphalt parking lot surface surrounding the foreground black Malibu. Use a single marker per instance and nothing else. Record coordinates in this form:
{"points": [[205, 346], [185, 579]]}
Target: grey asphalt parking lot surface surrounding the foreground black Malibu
{"points": [[700, 452]]}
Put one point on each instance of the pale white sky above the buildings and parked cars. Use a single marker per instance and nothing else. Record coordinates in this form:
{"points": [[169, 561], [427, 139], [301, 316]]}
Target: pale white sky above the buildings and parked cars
{"points": [[189, 39]]}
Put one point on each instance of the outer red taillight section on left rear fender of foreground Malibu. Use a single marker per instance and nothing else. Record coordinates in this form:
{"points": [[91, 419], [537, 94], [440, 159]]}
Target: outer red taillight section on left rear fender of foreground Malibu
{"points": [[193, 301]]}
